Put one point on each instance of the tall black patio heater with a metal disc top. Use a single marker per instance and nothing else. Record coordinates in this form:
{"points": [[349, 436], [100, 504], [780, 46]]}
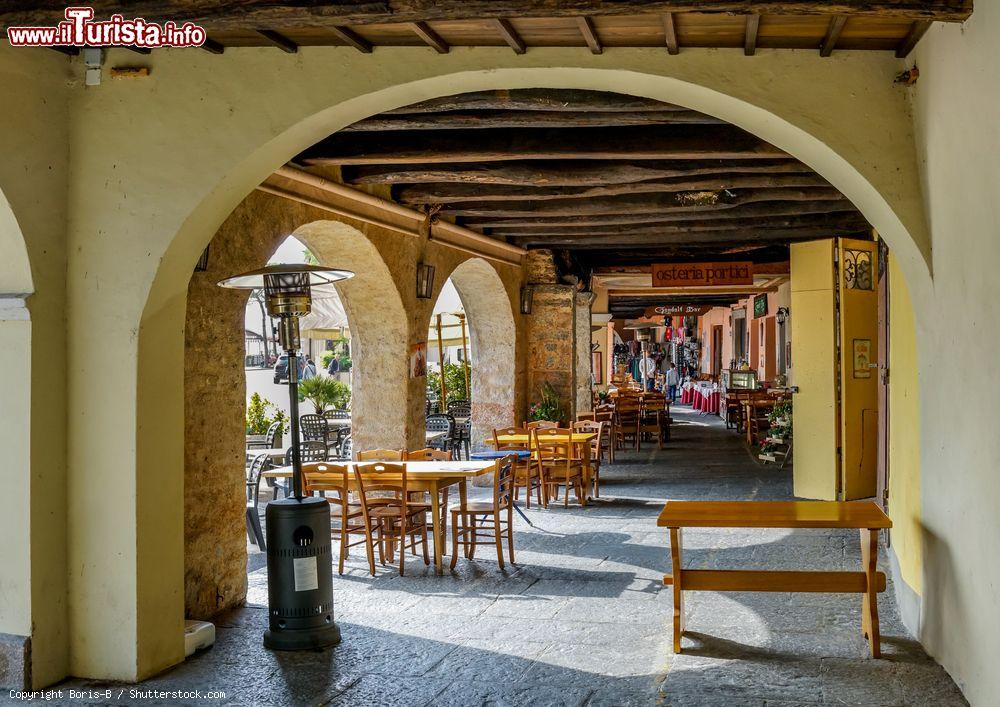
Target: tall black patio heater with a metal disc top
{"points": [[299, 569]]}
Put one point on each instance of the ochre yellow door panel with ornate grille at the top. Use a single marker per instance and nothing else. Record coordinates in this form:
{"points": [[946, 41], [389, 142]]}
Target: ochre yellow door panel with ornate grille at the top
{"points": [[858, 273]]}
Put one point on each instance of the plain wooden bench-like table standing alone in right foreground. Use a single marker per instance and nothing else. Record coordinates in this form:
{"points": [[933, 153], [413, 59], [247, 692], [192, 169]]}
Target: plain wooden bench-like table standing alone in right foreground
{"points": [[863, 515]]}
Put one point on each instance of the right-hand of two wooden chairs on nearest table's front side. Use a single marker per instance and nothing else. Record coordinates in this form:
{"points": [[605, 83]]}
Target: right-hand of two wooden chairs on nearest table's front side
{"points": [[394, 517]]}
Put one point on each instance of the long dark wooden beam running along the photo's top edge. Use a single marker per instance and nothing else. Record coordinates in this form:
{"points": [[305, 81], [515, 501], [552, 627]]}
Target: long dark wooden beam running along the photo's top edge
{"points": [[323, 13]]}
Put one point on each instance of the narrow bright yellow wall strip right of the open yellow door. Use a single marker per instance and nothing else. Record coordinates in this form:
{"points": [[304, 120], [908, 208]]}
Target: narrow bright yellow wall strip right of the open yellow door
{"points": [[904, 431]]}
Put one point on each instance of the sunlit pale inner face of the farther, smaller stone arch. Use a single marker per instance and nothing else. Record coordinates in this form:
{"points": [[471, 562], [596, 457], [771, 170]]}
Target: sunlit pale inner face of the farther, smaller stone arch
{"points": [[494, 337]]}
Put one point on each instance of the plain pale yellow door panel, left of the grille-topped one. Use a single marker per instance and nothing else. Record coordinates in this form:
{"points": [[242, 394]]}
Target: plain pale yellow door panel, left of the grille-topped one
{"points": [[813, 365]]}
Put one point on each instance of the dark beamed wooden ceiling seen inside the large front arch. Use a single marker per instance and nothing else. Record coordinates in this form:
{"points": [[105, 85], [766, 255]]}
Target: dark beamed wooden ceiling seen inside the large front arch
{"points": [[602, 178]]}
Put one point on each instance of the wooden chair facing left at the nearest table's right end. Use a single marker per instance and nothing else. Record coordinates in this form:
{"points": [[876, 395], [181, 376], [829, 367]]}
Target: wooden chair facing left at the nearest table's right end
{"points": [[489, 520]]}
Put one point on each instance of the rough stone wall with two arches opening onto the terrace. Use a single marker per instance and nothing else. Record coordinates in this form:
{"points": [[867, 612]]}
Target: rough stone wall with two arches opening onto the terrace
{"points": [[386, 319]]}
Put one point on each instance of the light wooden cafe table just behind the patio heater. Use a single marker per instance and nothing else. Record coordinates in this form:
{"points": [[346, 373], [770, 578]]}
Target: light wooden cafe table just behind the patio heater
{"points": [[430, 476]]}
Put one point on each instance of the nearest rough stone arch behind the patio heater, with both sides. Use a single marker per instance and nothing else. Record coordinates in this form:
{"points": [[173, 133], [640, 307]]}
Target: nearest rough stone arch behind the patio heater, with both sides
{"points": [[215, 558]]}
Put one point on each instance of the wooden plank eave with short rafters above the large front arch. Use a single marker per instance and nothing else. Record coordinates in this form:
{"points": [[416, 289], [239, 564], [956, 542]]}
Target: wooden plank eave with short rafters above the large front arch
{"points": [[822, 25]]}
